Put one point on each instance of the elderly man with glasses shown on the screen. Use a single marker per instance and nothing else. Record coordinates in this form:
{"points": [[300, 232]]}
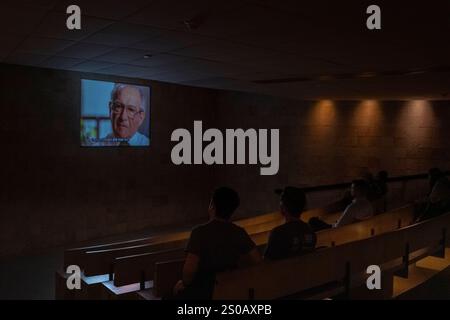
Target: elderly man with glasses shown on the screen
{"points": [[127, 113]]}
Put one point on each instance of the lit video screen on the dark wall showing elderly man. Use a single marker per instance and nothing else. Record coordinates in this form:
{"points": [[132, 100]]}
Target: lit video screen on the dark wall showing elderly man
{"points": [[114, 114]]}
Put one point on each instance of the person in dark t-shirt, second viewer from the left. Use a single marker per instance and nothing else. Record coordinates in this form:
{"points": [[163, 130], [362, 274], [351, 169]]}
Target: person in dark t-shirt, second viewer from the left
{"points": [[294, 237]]}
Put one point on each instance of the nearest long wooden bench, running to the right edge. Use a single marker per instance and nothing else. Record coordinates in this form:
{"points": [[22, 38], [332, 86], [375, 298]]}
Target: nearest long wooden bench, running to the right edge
{"points": [[340, 269]]}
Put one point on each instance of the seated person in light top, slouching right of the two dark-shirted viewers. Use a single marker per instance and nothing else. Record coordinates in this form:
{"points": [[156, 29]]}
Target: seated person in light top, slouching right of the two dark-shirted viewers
{"points": [[360, 209]]}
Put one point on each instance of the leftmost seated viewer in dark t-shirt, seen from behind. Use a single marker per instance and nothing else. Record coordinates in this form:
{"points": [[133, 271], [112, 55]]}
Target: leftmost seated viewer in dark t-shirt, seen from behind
{"points": [[216, 246]]}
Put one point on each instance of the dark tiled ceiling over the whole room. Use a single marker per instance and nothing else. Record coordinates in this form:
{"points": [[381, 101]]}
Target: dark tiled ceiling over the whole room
{"points": [[229, 44]]}
